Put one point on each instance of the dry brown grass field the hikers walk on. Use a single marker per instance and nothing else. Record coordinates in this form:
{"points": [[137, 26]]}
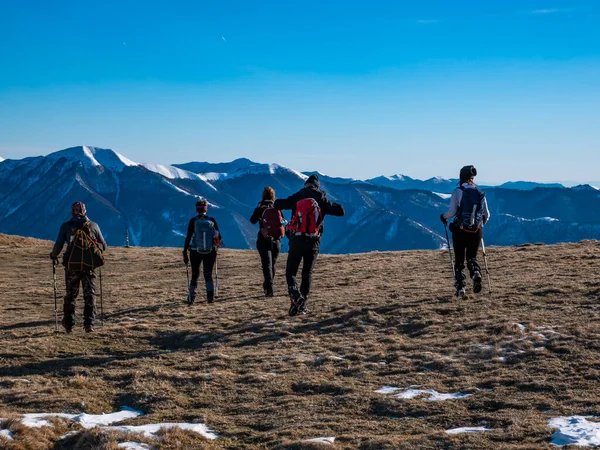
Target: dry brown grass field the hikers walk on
{"points": [[527, 353]]}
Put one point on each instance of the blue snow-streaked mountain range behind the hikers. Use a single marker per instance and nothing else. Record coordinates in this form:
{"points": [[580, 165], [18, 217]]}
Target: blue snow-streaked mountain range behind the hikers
{"points": [[155, 202]]}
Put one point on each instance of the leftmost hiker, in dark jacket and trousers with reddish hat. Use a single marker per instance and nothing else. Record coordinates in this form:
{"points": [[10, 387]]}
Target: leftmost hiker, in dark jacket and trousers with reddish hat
{"points": [[71, 233]]}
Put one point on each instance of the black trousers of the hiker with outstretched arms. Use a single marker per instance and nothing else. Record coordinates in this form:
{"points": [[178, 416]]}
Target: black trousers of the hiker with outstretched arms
{"points": [[301, 249]]}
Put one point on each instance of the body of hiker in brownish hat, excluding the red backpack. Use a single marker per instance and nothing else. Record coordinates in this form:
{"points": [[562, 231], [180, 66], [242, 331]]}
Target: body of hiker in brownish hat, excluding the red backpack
{"points": [[268, 246]]}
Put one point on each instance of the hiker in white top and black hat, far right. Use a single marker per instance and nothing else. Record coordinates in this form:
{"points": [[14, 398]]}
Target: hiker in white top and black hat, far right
{"points": [[469, 209]]}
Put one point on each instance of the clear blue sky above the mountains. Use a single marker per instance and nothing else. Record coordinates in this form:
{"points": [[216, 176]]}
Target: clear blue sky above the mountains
{"points": [[349, 88]]}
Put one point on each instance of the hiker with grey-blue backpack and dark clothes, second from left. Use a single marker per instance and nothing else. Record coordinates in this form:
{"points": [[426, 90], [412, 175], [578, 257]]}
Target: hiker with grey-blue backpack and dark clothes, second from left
{"points": [[202, 240]]}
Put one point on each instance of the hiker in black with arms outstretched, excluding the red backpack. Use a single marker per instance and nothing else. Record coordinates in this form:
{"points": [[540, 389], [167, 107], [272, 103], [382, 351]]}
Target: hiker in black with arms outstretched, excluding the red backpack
{"points": [[305, 246]]}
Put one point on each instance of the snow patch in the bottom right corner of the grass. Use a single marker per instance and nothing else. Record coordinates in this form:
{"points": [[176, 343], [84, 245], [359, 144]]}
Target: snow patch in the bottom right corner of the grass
{"points": [[575, 430]]}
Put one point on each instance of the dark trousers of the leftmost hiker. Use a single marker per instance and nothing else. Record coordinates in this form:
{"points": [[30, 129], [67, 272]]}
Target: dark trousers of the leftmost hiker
{"points": [[88, 281]]}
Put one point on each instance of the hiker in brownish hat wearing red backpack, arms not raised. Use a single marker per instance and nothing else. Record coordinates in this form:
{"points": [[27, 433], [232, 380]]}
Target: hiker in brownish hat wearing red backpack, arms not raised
{"points": [[268, 243]]}
